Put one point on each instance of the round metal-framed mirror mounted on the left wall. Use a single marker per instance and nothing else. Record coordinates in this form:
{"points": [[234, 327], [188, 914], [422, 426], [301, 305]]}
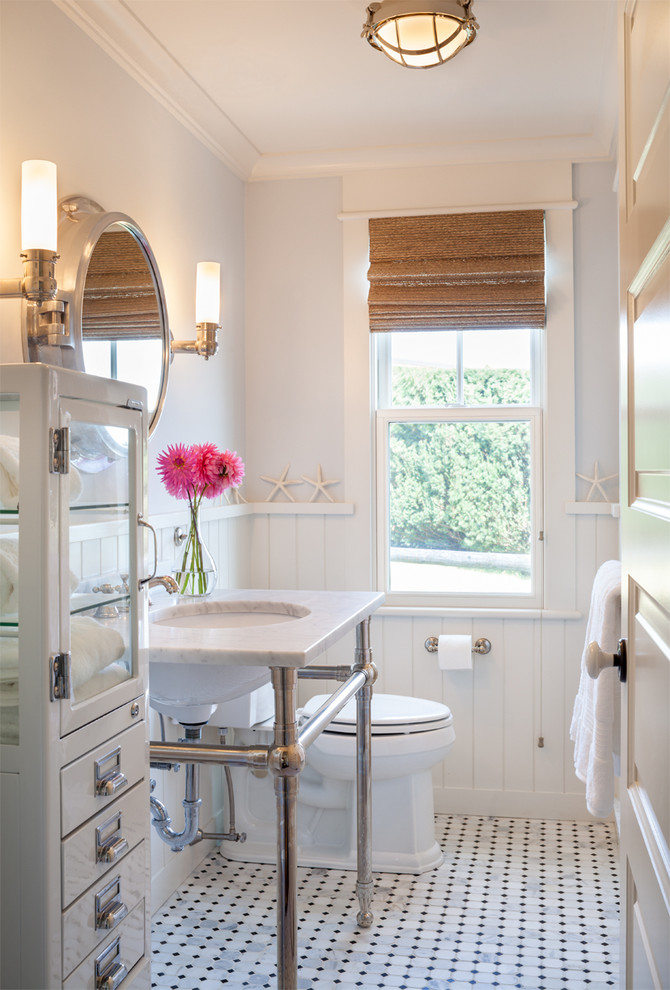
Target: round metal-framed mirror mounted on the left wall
{"points": [[115, 306]]}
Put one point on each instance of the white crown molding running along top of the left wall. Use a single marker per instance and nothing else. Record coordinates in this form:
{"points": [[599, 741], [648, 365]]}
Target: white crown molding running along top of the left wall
{"points": [[112, 26]]}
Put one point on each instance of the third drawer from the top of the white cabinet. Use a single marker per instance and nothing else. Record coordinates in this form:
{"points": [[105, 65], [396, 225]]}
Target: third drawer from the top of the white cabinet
{"points": [[103, 907]]}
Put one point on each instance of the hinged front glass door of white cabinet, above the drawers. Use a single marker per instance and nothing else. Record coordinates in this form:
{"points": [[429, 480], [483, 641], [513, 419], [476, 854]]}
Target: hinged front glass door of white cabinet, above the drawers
{"points": [[101, 499]]}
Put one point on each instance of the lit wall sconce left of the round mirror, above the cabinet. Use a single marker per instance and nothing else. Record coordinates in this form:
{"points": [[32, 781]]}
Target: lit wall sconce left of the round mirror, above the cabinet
{"points": [[39, 218]]}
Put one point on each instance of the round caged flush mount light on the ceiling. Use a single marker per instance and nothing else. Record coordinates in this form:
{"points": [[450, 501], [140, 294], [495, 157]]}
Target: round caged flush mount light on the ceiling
{"points": [[420, 34]]}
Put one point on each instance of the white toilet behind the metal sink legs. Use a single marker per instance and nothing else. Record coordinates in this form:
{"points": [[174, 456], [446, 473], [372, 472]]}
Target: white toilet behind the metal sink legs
{"points": [[410, 736]]}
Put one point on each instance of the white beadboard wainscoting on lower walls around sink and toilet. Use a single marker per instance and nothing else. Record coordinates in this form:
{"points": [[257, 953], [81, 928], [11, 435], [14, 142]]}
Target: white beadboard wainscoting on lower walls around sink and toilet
{"points": [[512, 711]]}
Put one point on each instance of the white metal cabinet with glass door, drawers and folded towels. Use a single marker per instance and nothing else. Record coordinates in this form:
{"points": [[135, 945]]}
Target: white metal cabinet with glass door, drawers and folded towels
{"points": [[74, 772]]}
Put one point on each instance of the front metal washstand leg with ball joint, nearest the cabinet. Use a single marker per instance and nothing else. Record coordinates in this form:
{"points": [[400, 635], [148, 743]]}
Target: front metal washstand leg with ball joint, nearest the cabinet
{"points": [[286, 760]]}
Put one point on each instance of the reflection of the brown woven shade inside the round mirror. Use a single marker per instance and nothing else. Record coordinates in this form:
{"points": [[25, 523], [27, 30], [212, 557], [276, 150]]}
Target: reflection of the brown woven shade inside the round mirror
{"points": [[120, 300]]}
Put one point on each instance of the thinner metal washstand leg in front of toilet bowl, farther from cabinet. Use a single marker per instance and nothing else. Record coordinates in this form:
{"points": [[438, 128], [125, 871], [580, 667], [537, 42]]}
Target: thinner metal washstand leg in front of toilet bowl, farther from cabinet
{"points": [[364, 885]]}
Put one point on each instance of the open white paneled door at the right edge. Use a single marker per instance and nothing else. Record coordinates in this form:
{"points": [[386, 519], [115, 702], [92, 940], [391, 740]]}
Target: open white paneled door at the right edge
{"points": [[644, 200]]}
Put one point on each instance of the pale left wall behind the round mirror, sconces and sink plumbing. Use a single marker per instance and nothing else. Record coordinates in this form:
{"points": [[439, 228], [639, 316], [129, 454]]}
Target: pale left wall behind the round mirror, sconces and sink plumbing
{"points": [[63, 99]]}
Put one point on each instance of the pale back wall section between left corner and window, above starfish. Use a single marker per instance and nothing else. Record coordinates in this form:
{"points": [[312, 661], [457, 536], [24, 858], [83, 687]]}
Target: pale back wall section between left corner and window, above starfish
{"points": [[295, 375]]}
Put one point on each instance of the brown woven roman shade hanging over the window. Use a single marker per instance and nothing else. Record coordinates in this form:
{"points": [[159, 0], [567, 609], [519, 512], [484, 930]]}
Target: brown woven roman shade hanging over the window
{"points": [[462, 271]]}
